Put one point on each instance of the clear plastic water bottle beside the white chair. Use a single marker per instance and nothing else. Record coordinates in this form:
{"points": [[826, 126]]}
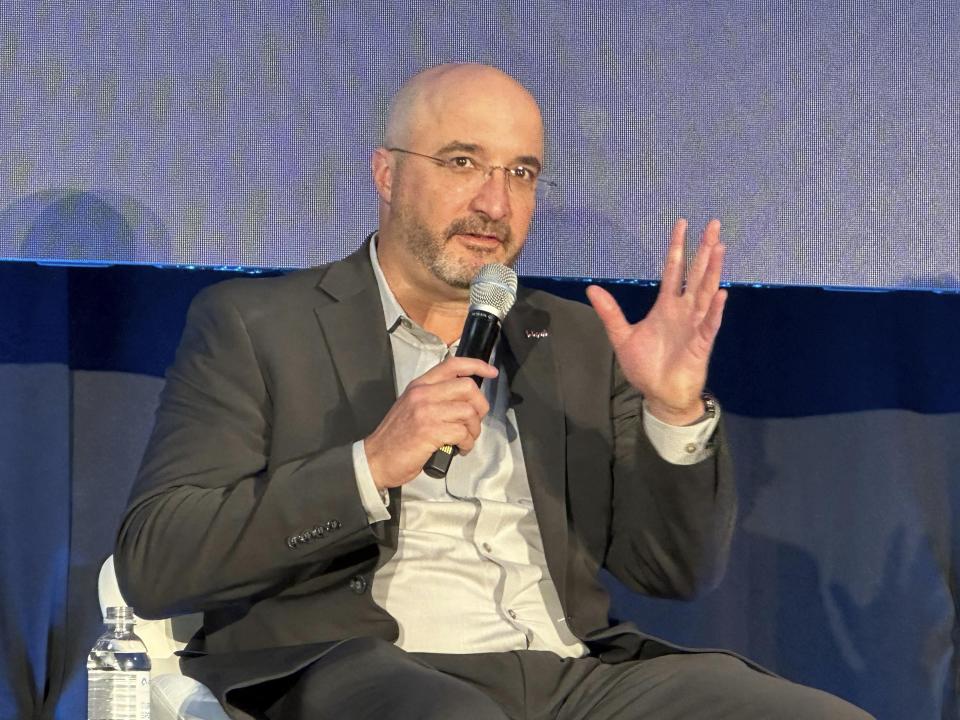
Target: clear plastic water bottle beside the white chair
{"points": [[118, 671]]}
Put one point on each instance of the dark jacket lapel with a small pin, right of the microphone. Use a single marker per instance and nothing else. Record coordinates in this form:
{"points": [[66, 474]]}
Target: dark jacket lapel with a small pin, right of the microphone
{"points": [[536, 398]]}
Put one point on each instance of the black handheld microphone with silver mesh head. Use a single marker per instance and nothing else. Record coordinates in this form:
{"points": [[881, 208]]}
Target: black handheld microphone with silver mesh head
{"points": [[492, 293]]}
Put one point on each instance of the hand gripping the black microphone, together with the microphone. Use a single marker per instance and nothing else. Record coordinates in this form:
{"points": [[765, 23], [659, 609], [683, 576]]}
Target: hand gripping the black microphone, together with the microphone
{"points": [[443, 408]]}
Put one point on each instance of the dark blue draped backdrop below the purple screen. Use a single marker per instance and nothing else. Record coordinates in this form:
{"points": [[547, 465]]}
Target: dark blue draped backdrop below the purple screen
{"points": [[844, 418]]}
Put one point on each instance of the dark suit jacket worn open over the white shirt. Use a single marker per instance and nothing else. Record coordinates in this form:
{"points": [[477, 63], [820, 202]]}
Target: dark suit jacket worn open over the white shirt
{"points": [[246, 506]]}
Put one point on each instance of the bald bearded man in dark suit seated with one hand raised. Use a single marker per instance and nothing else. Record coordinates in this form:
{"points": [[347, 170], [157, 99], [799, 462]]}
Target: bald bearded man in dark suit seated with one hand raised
{"points": [[282, 491]]}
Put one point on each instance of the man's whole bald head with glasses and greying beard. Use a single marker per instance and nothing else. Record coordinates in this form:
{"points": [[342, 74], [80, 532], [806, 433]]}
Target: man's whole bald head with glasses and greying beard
{"points": [[455, 137]]}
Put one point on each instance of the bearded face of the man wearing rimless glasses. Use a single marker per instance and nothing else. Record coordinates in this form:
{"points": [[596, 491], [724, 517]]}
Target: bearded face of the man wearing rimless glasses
{"points": [[452, 221]]}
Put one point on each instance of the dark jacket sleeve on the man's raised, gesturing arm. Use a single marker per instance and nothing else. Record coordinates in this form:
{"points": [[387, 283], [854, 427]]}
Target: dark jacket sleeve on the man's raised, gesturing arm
{"points": [[671, 525]]}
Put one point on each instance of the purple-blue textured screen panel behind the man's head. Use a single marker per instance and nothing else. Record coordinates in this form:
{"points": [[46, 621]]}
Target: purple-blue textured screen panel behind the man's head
{"points": [[826, 135]]}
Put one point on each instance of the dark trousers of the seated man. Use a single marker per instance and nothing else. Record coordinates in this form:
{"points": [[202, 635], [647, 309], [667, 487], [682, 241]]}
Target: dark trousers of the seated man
{"points": [[371, 679]]}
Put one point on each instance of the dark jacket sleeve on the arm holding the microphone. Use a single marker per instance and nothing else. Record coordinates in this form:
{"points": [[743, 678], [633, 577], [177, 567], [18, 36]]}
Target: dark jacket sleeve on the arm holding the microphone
{"points": [[210, 521]]}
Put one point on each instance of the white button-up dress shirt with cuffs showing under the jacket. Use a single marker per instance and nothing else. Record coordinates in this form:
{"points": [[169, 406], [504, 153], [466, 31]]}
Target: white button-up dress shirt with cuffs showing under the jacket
{"points": [[469, 573]]}
